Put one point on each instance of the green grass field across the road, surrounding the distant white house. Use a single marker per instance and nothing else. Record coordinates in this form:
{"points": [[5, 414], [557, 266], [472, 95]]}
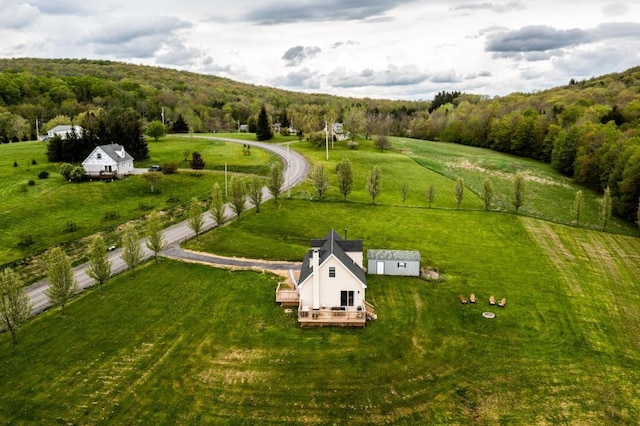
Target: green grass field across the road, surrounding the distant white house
{"points": [[43, 211]]}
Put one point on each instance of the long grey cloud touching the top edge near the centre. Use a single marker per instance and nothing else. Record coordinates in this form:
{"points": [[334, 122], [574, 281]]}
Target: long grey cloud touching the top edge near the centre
{"points": [[314, 11]]}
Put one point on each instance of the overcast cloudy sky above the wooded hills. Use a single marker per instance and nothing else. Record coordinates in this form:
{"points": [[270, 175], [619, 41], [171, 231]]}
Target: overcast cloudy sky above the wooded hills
{"points": [[397, 49]]}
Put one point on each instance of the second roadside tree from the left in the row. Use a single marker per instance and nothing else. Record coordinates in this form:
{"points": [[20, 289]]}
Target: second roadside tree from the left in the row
{"points": [[62, 284]]}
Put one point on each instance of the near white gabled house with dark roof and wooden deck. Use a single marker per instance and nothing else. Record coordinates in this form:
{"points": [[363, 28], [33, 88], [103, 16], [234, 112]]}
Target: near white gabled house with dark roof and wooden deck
{"points": [[332, 284]]}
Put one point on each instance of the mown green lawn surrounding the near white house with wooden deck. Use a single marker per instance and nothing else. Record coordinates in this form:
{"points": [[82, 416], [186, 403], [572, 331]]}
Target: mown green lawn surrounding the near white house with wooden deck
{"points": [[211, 346]]}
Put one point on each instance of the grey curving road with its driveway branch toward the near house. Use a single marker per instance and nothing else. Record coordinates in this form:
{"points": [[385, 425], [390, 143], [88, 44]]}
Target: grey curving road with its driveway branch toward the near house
{"points": [[295, 171]]}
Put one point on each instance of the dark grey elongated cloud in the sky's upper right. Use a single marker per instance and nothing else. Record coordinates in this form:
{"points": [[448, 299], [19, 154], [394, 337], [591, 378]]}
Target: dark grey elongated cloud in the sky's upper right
{"points": [[536, 38]]}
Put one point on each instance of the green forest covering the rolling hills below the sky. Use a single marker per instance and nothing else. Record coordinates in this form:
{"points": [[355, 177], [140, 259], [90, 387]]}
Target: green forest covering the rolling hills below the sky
{"points": [[588, 130]]}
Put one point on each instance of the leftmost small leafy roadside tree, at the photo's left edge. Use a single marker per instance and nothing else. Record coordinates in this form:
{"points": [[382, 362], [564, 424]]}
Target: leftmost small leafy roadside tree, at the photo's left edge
{"points": [[15, 306]]}
